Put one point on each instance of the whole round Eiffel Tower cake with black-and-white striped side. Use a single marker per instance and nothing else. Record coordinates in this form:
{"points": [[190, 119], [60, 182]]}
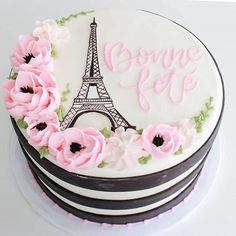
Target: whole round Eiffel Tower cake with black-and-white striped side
{"points": [[115, 112]]}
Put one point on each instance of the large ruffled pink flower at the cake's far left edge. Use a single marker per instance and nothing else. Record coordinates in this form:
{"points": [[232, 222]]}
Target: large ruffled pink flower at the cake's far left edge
{"points": [[31, 94]]}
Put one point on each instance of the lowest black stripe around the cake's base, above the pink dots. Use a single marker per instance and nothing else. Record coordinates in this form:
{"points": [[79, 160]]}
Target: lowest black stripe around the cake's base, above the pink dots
{"points": [[122, 219]]}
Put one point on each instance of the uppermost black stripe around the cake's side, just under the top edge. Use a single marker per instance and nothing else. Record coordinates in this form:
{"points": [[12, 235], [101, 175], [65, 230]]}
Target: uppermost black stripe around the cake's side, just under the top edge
{"points": [[117, 184]]}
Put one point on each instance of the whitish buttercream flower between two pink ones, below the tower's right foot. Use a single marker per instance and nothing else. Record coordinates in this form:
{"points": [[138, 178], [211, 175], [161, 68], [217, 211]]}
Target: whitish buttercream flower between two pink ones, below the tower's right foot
{"points": [[123, 149]]}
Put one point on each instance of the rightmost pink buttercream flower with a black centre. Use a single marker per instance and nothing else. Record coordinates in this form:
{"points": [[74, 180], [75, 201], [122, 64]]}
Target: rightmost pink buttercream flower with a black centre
{"points": [[161, 140]]}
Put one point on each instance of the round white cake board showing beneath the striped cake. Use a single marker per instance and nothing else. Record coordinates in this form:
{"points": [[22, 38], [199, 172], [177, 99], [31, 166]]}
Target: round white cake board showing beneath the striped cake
{"points": [[65, 221]]}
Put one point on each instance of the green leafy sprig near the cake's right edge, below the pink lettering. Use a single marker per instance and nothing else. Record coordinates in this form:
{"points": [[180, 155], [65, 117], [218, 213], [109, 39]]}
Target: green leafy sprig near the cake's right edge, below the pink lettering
{"points": [[204, 115]]}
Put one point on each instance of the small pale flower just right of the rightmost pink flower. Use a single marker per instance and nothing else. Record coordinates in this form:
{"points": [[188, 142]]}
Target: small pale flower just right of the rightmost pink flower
{"points": [[186, 128]]}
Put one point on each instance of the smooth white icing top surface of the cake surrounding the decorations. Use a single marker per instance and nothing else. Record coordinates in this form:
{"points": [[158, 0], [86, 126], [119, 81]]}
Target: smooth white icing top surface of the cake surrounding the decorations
{"points": [[135, 31]]}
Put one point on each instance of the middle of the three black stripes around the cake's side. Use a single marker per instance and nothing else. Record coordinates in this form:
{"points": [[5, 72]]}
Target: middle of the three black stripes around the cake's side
{"points": [[112, 204]]}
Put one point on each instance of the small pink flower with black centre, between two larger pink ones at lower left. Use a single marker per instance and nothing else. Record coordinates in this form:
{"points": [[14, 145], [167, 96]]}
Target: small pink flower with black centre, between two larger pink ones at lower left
{"points": [[40, 128]]}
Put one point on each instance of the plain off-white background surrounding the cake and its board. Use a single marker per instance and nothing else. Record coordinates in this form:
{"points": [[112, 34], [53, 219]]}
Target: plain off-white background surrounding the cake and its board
{"points": [[214, 24]]}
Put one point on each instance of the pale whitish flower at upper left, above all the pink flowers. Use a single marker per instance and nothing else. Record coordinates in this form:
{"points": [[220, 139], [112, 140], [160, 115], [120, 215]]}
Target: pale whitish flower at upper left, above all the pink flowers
{"points": [[50, 30]]}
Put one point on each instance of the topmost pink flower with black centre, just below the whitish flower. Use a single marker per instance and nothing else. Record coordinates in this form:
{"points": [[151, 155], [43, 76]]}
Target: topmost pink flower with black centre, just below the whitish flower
{"points": [[32, 54]]}
